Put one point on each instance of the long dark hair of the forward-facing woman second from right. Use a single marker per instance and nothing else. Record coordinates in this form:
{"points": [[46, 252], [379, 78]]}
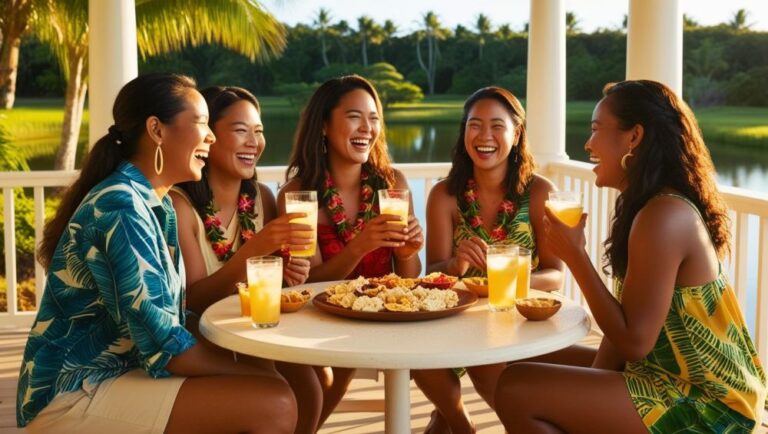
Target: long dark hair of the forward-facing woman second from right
{"points": [[520, 163]]}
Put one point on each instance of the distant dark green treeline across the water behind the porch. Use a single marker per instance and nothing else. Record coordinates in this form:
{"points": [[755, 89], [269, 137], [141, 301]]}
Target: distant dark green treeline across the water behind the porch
{"points": [[723, 65]]}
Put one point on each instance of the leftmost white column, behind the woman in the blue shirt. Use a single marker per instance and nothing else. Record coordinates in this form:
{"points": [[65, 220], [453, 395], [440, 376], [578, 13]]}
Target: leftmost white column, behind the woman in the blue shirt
{"points": [[112, 58]]}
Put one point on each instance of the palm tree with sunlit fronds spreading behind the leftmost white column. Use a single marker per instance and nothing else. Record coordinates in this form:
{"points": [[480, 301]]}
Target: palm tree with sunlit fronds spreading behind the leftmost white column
{"points": [[162, 26]]}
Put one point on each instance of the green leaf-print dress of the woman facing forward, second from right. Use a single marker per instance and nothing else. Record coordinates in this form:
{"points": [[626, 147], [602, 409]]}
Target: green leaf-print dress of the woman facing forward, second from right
{"points": [[520, 232]]}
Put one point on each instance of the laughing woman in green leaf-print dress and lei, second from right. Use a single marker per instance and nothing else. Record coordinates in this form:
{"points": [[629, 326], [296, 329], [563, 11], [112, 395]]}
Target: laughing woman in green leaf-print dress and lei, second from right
{"points": [[491, 194]]}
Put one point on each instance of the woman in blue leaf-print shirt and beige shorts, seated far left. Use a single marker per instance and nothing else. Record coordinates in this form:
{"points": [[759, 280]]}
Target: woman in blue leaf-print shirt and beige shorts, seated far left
{"points": [[109, 350]]}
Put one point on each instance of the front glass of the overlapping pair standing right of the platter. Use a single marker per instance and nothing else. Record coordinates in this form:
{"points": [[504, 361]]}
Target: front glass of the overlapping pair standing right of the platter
{"points": [[502, 263]]}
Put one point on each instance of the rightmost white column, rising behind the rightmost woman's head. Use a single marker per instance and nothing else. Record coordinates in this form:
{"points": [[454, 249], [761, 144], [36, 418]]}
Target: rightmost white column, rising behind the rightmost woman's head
{"points": [[655, 42]]}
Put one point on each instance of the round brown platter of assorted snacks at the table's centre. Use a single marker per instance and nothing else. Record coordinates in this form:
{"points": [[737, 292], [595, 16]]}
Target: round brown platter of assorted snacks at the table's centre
{"points": [[392, 298]]}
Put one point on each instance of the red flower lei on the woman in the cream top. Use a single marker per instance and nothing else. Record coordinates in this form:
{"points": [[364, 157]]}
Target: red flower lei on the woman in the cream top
{"points": [[245, 214]]}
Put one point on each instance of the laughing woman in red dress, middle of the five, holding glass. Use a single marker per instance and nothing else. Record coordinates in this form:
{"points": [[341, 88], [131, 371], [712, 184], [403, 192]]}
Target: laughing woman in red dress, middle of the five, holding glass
{"points": [[340, 152]]}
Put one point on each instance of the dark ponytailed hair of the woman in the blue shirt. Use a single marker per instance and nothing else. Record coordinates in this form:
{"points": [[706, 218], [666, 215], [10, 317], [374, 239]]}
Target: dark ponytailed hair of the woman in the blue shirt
{"points": [[161, 95]]}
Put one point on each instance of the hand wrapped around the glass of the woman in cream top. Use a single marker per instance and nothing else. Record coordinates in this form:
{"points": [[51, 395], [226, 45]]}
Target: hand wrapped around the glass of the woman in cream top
{"points": [[280, 233]]}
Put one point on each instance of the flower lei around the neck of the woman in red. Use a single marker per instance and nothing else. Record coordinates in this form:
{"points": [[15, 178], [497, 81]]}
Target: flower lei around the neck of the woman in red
{"points": [[346, 230]]}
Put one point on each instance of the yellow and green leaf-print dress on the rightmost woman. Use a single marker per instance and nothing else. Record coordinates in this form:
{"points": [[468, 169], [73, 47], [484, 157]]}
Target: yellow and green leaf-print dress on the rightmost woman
{"points": [[703, 374]]}
